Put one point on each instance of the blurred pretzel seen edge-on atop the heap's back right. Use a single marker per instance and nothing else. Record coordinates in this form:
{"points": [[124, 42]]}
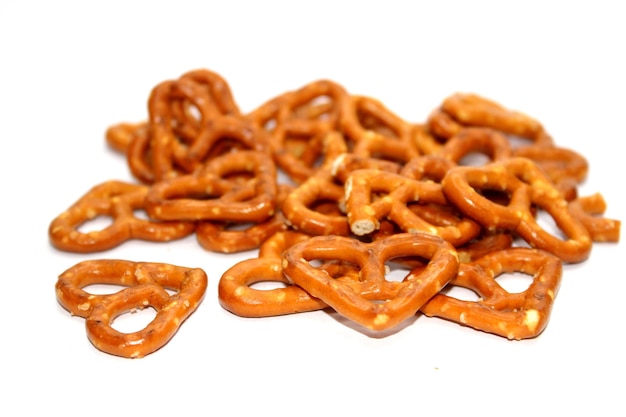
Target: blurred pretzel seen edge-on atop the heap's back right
{"points": [[463, 109]]}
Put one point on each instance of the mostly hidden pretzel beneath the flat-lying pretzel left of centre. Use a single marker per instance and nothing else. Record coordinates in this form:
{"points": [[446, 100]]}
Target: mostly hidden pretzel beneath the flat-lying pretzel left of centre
{"points": [[229, 237]]}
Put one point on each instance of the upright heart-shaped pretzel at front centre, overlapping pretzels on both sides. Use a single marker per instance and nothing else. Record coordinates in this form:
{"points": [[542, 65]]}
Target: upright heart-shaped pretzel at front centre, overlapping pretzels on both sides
{"points": [[372, 300]]}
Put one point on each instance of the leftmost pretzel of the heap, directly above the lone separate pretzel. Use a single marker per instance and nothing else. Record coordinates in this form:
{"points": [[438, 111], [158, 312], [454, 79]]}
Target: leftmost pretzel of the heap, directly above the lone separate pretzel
{"points": [[117, 200]]}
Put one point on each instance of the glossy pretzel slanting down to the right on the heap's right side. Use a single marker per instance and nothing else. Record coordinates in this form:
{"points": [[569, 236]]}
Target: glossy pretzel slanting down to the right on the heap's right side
{"points": [[527, 186]]}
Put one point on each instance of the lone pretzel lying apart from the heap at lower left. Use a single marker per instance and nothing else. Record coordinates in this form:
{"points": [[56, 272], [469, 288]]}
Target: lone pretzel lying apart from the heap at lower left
{"points": [[146, 285]]}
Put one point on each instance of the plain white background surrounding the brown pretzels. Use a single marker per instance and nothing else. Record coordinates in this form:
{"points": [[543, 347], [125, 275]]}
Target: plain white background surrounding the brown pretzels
{"points": [[68, 70]]}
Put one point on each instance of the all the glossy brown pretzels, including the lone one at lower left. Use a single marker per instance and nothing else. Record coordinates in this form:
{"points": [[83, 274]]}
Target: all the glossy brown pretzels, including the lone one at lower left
{"points": [[348, 206]]}
